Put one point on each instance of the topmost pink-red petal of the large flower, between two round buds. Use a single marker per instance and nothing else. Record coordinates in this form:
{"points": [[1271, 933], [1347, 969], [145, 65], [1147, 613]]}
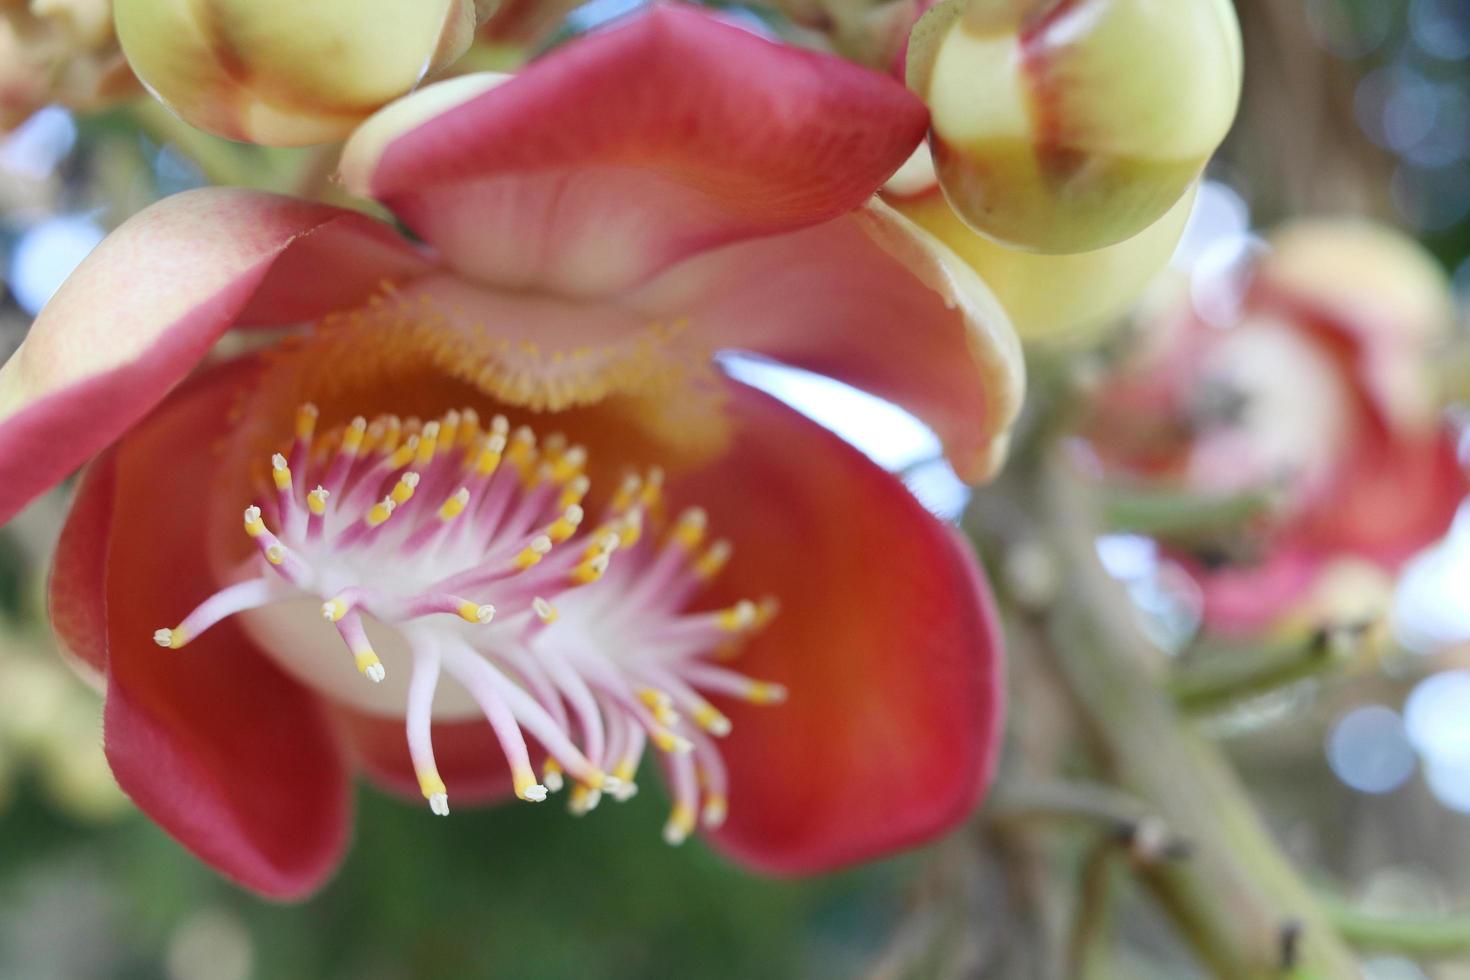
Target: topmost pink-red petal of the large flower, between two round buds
{"points": [[630, 149]]}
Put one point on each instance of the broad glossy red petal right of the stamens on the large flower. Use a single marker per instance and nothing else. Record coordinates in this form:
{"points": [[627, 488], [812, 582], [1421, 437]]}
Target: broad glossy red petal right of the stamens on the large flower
{"points": [[887, 641]]}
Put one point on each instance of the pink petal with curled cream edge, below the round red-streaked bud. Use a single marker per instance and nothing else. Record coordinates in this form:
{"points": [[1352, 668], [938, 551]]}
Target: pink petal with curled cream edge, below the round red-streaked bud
{"points": [[875, 302]]}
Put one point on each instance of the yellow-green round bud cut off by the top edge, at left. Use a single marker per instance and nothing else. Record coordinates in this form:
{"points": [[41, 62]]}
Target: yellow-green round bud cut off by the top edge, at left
{"points": [[283, 73]]}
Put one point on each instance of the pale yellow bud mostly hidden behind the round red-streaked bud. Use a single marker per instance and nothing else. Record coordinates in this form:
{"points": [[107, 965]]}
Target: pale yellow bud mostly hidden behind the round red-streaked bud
{"points": [[1058, 299]]}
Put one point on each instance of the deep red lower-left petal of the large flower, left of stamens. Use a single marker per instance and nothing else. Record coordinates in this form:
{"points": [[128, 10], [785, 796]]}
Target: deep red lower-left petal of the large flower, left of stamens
{"points": [[214, 743]]}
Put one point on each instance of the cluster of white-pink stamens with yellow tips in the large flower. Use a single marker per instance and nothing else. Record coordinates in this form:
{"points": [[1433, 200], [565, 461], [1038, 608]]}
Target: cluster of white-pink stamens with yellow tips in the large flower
{"points": [[473, 541]]}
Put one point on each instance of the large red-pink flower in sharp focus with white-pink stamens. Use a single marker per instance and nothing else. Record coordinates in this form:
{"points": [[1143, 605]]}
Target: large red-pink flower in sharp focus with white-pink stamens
{"points": [[498, 477]]}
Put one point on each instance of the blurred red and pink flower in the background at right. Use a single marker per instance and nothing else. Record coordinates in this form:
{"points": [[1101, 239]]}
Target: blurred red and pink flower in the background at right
{"points": [[1315, 392]]}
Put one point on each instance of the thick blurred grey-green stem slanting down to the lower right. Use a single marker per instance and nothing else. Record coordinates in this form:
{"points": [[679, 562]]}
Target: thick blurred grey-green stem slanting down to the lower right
{"points": [[1237, 897]]}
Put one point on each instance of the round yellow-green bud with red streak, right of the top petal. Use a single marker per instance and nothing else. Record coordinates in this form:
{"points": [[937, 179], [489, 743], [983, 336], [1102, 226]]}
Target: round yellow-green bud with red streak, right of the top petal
{"points": [[1069, 126]]}
